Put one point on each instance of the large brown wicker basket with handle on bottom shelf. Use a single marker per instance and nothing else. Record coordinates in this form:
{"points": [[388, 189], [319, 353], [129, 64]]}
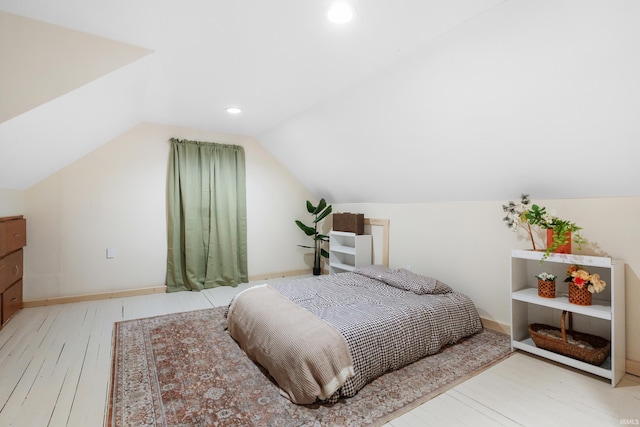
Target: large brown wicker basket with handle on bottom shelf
{"points": [[595, 356]]}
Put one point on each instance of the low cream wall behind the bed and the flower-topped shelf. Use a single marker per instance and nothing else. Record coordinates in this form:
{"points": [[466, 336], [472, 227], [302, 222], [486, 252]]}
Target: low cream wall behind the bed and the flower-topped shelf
{"points": [[467, 245]]}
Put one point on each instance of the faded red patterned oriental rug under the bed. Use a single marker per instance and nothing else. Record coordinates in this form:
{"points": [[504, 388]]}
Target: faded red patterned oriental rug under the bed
{"points": [[185, 370]]}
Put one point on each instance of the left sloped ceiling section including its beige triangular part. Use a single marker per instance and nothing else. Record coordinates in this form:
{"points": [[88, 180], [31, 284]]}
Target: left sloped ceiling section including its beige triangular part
{"points": [[58, 89]]}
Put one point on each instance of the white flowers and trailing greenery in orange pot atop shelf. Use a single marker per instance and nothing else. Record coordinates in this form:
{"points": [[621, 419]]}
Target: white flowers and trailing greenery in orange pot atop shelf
{"points": [[520, 215]]}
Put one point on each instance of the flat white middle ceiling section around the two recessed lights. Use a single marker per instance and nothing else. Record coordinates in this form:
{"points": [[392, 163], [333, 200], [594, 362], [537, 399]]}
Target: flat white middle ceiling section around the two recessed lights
{"points": [[273, 58]]}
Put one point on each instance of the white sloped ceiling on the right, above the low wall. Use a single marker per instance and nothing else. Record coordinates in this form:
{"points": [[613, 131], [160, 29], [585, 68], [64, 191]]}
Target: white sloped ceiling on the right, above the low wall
{"points": [[541, 97]]}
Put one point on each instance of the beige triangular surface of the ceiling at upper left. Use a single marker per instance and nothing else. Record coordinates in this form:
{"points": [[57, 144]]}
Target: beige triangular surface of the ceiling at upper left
{"points": [[45, 61]]}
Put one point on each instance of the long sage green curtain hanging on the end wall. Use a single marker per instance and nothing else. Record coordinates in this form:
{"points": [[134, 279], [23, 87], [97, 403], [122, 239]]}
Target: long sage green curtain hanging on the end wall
{"points": [[207, 218]]}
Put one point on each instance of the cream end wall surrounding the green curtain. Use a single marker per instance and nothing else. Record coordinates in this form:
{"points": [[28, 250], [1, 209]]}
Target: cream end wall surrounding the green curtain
{"points": [[116, 197]]}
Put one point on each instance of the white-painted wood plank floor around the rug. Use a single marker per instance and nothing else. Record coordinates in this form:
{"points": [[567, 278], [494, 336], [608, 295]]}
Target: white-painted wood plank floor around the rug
{"points": [[55, 364]]}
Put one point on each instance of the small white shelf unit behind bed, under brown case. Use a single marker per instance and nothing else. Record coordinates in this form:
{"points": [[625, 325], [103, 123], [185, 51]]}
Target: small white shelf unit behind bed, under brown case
{"points": [[347, 251]]}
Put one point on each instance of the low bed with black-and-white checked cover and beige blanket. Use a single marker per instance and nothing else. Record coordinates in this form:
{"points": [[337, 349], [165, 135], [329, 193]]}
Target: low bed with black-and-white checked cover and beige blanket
{"points": [[325, 337]]}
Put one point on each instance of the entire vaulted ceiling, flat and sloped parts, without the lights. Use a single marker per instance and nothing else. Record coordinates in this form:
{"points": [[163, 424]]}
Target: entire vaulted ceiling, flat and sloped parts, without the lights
{"points": [[414, 100]]}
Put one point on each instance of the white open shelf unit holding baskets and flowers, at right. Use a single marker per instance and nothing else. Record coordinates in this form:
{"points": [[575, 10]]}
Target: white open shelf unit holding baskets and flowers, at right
{"points": [[605, 317]]}
